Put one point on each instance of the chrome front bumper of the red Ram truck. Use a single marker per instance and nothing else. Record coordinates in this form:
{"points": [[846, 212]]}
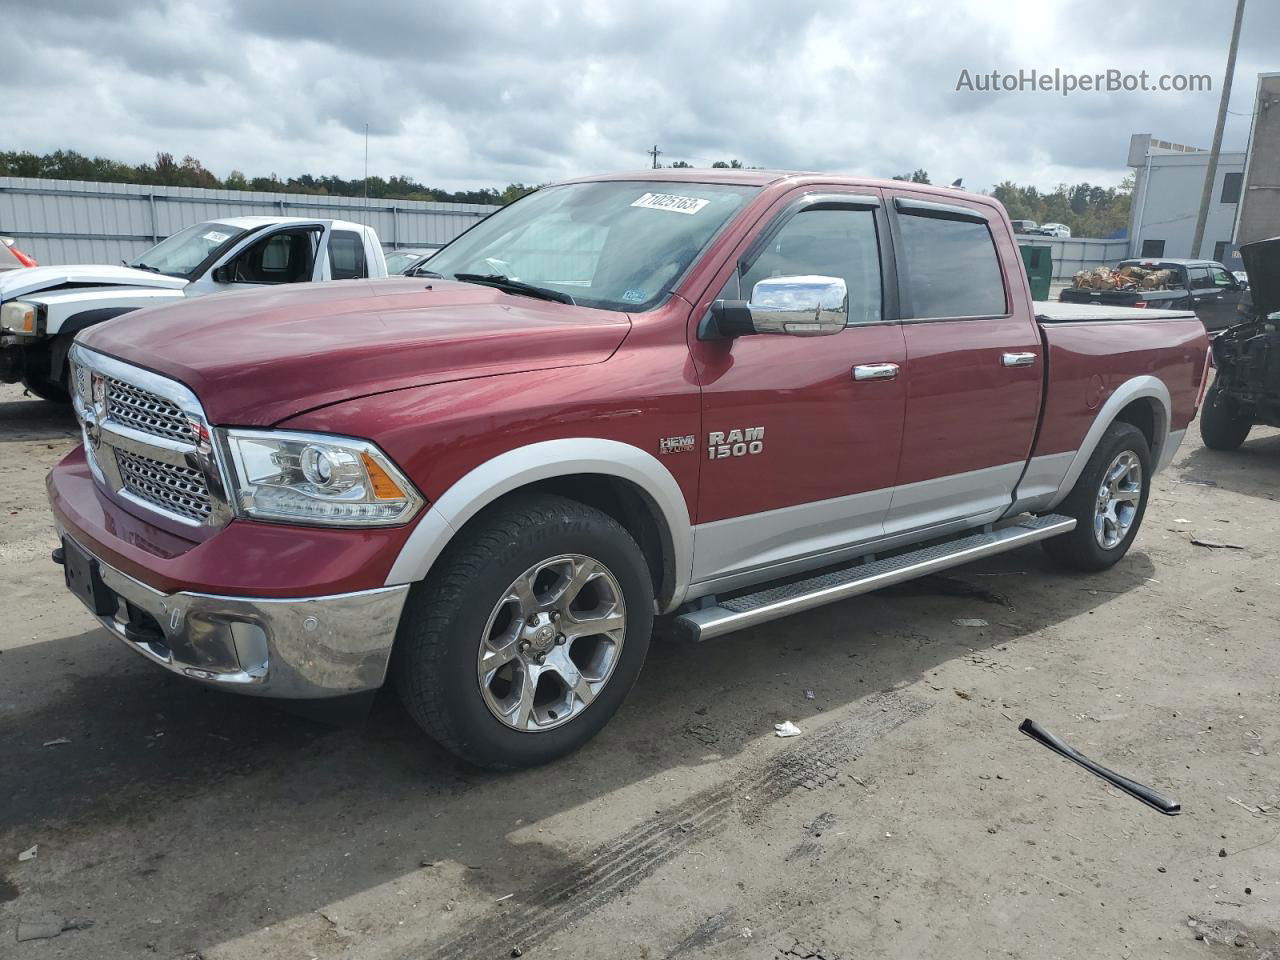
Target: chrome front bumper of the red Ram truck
{"points": [[304, 648]]}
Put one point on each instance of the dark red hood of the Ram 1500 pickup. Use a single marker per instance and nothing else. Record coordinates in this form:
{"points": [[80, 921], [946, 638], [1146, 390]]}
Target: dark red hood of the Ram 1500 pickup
{"points": [[258, 358]]}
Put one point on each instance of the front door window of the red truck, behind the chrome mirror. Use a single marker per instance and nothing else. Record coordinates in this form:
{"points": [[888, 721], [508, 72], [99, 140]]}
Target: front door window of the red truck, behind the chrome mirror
{"points": [[839, 243]]}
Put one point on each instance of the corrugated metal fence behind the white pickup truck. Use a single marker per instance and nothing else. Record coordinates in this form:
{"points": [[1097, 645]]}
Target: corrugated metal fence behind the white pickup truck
{"points": [[79, 222]]}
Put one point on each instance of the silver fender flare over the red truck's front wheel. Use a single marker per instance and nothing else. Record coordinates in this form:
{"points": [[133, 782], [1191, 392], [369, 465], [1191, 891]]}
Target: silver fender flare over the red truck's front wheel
{"points": [[546, 461]]}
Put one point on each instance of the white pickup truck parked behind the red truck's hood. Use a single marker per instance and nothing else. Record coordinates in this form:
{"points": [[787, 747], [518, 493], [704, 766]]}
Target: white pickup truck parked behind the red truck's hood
{"points": [[44, 308]]}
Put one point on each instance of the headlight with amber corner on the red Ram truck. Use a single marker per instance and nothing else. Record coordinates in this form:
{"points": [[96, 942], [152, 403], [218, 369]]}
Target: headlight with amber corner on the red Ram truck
{"points": [[317, 479]]}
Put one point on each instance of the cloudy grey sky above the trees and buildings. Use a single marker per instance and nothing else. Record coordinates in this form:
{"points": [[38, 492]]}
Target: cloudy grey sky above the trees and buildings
{"points": [[481, 93]]}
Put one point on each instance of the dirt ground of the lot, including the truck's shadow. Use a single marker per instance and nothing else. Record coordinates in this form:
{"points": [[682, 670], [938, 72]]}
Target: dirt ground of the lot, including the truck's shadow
{"points": [[911, 819]]}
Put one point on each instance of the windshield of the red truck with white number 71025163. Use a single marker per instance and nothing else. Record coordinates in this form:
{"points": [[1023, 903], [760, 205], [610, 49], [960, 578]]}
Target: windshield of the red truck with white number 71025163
{"points": [[618, 245]]}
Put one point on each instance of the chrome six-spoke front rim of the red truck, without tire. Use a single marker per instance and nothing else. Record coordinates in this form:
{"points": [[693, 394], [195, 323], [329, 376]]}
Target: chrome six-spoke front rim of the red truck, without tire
{"points": [[552, 643]]}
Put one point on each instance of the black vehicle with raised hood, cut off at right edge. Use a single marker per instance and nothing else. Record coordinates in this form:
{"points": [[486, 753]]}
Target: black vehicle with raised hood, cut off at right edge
{"points": [[1247, 356]]}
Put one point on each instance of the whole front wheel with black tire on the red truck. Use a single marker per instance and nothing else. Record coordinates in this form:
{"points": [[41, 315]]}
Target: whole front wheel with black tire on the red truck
{"points": [[470, 607]]}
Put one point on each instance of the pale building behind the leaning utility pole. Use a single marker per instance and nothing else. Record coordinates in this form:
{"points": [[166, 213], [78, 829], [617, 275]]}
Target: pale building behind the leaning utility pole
{"points": [[1169, 180]]}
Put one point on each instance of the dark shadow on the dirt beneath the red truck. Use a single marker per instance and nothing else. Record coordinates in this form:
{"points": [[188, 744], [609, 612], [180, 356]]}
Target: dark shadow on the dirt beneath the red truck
{"points": [[243, 816]]}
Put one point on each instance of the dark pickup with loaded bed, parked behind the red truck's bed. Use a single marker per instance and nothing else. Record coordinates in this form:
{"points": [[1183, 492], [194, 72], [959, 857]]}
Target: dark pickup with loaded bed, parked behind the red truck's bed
{"points": [[1204, 286]]}
